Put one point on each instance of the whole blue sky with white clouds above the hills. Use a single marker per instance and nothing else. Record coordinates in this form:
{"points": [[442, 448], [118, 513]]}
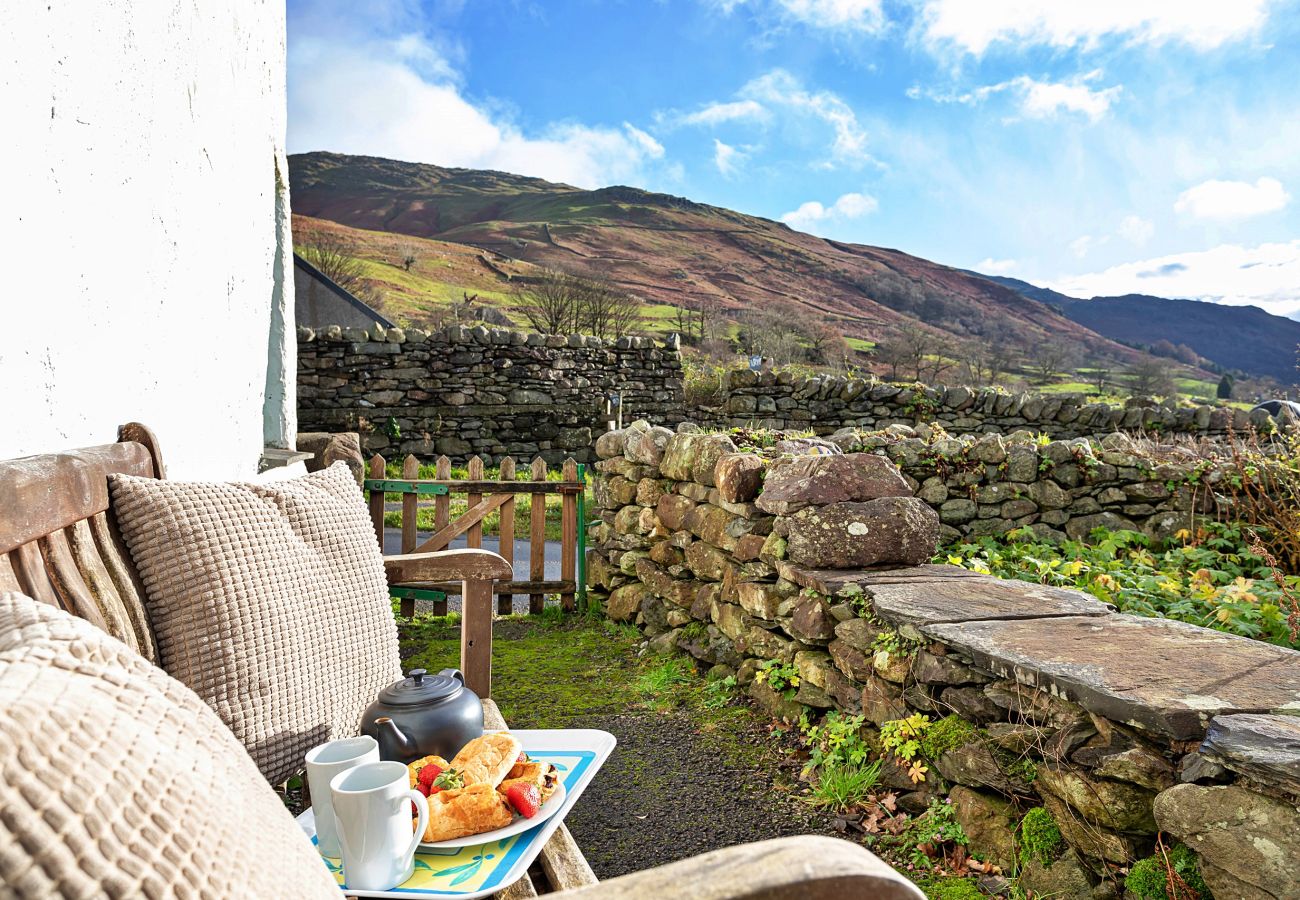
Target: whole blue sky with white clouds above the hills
{"points": [[1099, 148]]}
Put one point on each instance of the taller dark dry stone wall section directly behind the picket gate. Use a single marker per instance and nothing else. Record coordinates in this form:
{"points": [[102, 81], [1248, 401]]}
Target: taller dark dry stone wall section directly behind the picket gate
{"points": [[476, 391]]}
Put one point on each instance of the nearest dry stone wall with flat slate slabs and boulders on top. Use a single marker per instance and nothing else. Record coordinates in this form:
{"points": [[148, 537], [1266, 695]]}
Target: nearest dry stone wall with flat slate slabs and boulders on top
{"points": [[1115, 728]]}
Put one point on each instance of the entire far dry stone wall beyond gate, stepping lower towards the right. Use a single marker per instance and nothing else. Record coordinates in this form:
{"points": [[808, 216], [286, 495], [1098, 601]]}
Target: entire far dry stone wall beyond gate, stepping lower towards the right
{"points": [[495, 392]]}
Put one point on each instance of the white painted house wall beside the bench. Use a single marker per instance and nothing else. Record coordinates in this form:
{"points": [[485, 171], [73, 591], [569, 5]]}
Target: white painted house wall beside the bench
{"points": [[146, 228]]}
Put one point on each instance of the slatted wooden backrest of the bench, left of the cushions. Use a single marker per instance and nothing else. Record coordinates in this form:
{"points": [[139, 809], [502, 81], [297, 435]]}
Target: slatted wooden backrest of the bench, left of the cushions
{"points": [[59, 543]]}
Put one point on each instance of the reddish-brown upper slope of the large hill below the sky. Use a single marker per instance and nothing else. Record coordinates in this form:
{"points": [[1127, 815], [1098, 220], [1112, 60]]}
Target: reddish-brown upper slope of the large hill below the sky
{"points": [[671, 250]]}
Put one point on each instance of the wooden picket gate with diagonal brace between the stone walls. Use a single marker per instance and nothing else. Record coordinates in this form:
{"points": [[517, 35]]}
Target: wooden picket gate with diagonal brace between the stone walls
{"points": [[484, 497]]}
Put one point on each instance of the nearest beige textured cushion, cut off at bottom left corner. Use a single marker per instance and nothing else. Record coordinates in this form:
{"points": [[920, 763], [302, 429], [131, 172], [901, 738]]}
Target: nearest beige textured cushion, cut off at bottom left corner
{"points": [[118, 781]]}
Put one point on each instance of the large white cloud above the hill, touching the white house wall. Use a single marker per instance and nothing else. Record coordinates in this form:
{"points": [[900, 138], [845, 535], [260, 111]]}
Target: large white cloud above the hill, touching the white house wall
{"points": [[401, 99]]}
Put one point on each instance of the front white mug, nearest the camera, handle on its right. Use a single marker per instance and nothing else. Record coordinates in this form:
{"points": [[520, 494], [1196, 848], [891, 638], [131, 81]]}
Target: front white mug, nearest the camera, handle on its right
{"points": [[374, 816]]}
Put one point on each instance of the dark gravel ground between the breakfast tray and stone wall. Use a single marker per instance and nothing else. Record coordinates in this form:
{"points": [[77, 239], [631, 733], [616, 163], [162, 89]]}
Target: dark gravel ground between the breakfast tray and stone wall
{"points": [[666, 794]]}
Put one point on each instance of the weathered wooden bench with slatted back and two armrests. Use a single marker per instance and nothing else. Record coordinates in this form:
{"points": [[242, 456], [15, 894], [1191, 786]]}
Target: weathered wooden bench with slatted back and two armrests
{"points": [[60, 546]]}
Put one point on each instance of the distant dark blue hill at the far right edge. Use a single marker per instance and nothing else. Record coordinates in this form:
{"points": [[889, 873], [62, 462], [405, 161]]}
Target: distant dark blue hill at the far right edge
{"points": [[1241, 339]]}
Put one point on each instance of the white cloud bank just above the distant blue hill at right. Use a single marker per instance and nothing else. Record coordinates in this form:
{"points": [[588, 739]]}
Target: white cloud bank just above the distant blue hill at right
{"points": [[1267, 276]]}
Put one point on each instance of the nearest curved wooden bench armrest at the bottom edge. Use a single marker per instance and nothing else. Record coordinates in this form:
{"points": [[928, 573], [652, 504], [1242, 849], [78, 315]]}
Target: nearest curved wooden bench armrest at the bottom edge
{"points": [[807, 867]]}
